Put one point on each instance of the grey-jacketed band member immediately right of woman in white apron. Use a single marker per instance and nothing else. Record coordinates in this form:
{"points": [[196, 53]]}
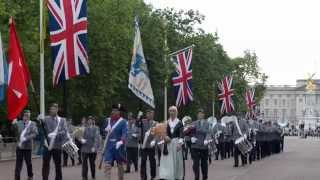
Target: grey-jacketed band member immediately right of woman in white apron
{"points": [[199, 145]]}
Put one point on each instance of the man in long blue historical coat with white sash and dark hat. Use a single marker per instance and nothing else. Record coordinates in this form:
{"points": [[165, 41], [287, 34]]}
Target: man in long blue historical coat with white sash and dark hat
{"points": [[115, 142]]}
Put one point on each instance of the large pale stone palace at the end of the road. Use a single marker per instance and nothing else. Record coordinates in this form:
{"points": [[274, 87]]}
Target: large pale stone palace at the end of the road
{"points": [[294, 104]]}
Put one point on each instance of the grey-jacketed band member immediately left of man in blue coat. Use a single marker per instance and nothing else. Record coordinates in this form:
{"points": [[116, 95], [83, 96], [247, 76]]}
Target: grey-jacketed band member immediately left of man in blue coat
{"points": [[90, 145]]}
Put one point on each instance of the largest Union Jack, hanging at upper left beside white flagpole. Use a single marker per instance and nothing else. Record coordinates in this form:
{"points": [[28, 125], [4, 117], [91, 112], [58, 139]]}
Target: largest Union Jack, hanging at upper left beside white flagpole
{"points": [[68, 35]]}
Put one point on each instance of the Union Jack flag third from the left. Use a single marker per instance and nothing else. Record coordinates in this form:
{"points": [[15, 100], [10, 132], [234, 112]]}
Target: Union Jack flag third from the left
{"points": [[226, 95]]}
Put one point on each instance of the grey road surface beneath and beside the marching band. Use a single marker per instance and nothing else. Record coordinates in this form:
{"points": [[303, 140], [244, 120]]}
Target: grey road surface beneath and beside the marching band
{"points": [[299, 161]]}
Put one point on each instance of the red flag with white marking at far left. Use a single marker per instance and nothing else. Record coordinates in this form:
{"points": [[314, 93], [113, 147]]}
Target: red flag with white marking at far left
{"points": [[19, 76]]}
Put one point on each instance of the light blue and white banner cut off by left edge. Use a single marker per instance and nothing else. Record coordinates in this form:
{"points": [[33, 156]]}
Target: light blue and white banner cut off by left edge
{"points": [[3, 72]]}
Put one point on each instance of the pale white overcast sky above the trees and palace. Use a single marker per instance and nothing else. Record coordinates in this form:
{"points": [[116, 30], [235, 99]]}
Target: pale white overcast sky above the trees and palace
{"points": [[285, 34]]}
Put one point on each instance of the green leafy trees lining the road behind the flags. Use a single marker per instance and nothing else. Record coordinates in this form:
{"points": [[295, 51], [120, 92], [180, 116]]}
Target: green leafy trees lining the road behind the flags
{"points": [[111, 33]]}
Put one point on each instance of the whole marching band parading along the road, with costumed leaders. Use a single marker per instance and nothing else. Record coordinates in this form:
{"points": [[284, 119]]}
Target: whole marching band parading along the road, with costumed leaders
{"points": [[127, 139]]}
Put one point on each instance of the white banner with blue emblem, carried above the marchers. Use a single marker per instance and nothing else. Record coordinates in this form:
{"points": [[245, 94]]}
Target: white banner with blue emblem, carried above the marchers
{"points": [[139, 81]]}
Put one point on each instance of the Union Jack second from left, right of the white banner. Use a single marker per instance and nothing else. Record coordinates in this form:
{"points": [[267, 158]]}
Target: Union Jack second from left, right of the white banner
{"points": [[182, 76]]}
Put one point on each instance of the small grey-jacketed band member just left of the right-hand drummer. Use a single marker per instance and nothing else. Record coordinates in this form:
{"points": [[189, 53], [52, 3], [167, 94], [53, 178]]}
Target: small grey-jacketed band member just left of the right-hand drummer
{"points": [[219, 131]]}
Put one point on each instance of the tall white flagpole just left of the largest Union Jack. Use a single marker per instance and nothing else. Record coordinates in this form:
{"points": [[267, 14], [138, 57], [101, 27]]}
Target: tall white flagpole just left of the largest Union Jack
{"points": [[42, 100]]}
